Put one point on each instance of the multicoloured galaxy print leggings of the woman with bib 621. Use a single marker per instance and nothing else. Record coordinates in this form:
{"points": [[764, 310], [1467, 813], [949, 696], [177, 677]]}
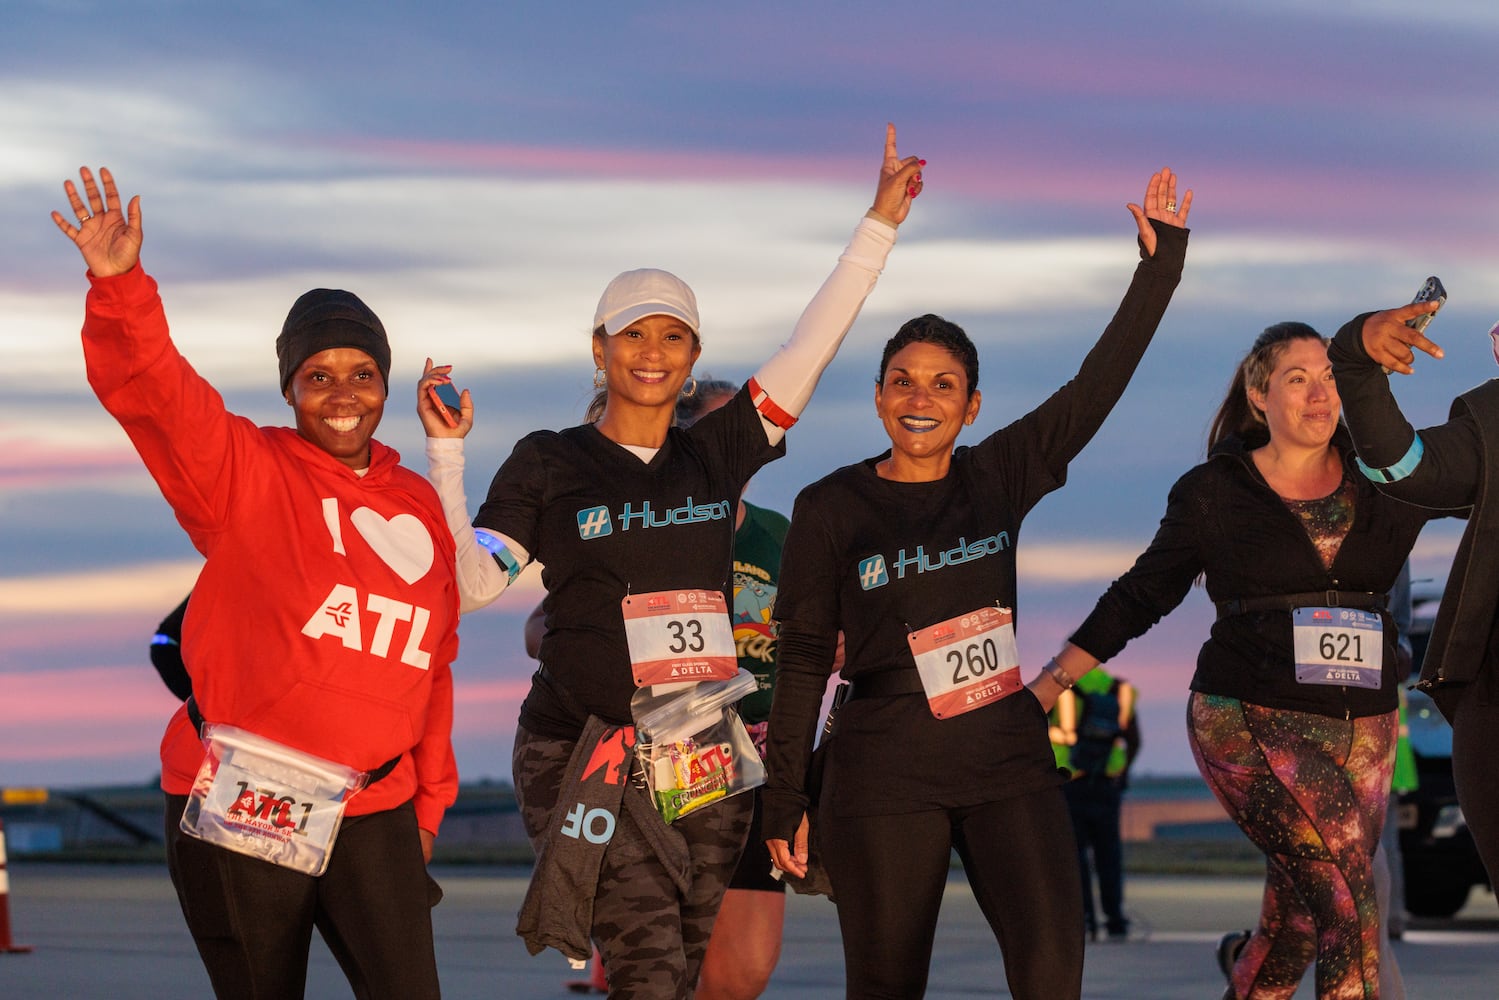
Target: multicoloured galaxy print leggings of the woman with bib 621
{"points": [[1311, 792]]}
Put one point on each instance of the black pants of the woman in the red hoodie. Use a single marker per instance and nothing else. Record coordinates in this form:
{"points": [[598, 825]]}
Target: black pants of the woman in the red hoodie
{"points": [[253, 921]]}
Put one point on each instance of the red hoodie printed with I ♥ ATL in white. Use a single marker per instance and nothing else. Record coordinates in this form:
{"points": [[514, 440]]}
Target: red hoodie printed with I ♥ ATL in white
{"points": [[326, 614]]}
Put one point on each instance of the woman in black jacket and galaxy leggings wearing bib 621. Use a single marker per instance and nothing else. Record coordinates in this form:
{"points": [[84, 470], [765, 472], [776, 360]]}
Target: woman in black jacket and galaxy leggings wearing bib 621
{"points": [[1293, 708]]}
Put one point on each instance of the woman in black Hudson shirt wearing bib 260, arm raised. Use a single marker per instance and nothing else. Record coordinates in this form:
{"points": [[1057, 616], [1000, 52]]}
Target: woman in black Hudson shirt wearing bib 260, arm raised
{"points": [[912, 557]]}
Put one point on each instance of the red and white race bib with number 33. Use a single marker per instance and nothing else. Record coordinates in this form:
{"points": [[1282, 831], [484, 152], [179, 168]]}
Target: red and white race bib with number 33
{"points": [[680, 636]]}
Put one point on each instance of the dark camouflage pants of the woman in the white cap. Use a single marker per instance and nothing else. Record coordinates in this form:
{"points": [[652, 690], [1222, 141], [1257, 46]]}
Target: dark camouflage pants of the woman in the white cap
{"points": [[651, 938]]}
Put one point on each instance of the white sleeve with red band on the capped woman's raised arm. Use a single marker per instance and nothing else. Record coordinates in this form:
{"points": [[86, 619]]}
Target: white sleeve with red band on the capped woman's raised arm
{"points": [[789, 379]]}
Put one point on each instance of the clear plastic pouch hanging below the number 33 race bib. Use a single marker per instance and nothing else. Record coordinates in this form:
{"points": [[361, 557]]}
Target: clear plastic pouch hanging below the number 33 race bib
{"points": [[693, 746]]}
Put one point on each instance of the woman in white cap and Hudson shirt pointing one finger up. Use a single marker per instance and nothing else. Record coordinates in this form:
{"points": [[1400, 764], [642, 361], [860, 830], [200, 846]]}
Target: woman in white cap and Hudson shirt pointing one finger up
{"points": [[633, 507]]}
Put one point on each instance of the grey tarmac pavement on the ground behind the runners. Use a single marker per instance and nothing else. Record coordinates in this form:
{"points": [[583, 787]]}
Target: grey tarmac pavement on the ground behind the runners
{"points": [[115, 933]]}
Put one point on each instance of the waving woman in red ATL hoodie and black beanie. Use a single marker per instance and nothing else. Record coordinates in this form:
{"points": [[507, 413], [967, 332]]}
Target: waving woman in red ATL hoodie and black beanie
{"points": [[320, 636]]}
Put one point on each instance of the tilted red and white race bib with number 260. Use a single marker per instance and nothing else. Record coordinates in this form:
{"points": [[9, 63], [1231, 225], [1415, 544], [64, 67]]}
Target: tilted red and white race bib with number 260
{"points": [[968, 662]]}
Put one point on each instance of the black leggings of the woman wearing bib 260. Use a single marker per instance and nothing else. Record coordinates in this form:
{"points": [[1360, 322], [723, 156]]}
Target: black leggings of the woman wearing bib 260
{"points": [[890, 875]]}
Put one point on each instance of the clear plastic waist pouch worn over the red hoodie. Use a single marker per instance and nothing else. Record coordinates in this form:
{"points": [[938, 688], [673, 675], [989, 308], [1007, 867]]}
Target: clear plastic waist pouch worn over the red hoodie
{"points": [[262, 798]]}
